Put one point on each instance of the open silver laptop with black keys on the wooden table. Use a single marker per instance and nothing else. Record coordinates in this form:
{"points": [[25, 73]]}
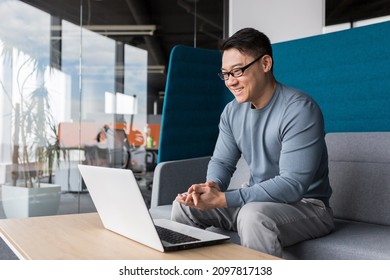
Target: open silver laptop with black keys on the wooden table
{"points": [[122, 209]]}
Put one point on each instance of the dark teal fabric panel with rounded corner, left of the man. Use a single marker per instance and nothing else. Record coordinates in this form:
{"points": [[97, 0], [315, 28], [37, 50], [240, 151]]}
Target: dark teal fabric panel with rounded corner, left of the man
{"points": [[194, 100]]}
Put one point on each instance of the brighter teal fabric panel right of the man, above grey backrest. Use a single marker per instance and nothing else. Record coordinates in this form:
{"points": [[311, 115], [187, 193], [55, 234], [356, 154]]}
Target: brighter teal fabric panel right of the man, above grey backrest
{"points": [[347, 72]]}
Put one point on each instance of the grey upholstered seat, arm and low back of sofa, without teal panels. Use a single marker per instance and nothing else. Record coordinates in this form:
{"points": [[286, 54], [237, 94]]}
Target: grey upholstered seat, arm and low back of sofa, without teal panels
{"points": [[359, 172]]}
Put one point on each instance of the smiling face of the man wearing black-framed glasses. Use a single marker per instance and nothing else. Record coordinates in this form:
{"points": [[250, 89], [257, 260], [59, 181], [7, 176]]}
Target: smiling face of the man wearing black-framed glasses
{"points": [[250, 86]]}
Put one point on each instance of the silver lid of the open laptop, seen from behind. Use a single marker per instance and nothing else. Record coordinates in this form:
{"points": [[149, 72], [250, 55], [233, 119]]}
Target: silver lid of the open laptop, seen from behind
{"points": [[120, 204]]}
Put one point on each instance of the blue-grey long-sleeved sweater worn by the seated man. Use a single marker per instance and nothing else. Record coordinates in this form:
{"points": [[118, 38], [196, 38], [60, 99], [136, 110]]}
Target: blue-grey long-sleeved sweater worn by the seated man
{"points": [[283, 144]]}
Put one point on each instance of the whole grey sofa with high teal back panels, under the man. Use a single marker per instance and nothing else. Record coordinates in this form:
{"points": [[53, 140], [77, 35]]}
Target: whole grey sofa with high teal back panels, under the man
{"points": [[347, 74]]}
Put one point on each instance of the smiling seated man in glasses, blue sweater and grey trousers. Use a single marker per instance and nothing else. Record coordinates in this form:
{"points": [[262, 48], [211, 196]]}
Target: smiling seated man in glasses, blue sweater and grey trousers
{"points": [[279, 131]]}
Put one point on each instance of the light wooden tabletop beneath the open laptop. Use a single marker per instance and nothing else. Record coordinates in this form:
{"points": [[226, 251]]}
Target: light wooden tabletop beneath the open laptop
{"points": [[82, 236]]}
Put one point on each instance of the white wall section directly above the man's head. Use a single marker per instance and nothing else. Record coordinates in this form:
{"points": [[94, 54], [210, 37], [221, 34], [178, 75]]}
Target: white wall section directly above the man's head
{"points": [[280, 20]]}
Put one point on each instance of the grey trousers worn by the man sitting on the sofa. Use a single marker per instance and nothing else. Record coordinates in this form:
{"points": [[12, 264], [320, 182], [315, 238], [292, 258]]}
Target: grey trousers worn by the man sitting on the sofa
{"points": [[264, 226]]}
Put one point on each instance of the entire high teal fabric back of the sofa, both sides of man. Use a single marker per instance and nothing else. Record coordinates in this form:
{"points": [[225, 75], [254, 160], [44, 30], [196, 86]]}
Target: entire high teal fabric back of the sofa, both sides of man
{"points": [[346, 72]]}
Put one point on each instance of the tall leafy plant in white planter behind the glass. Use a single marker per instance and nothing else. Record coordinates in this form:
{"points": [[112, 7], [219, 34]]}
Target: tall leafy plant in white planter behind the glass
{"points": [[35, 147]]}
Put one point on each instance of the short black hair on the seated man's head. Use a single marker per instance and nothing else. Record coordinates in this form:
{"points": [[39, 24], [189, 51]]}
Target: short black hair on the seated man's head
{"points": [[248, 41]]}
